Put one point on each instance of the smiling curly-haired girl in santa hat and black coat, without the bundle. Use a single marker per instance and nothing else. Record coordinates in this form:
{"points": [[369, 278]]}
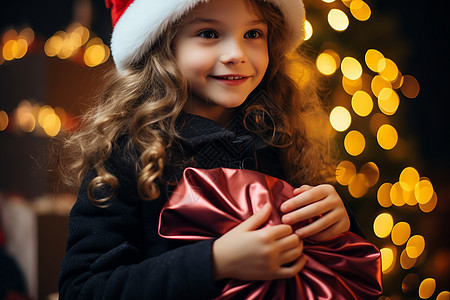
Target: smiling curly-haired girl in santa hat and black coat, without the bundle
{"points": [[200, 84]]}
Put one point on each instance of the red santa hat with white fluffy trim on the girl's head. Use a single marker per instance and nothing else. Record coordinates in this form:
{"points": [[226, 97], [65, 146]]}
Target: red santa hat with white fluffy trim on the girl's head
{"points": [[138, 24]]}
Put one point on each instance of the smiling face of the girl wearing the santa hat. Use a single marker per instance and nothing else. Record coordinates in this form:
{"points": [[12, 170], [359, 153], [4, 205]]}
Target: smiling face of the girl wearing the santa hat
{"points": [[223, 52]]}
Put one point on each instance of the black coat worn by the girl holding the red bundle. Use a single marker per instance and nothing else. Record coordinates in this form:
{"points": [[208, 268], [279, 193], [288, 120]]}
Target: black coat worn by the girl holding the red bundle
{"points": [[116, 252]]}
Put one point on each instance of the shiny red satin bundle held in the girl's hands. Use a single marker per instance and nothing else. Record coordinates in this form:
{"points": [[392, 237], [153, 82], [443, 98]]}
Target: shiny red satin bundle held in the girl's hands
{"points": [[208, 203]]}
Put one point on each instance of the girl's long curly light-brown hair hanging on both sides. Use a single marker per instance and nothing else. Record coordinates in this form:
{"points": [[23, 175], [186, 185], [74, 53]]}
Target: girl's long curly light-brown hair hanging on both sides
{"points": [[143, 101]]}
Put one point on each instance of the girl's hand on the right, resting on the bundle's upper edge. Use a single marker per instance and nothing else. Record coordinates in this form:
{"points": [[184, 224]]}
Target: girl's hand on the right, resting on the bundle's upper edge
{"points": [[321, 201]]}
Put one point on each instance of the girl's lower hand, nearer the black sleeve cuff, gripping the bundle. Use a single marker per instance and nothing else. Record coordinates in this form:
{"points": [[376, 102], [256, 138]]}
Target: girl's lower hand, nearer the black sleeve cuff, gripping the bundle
{"points": [[248, 253]]}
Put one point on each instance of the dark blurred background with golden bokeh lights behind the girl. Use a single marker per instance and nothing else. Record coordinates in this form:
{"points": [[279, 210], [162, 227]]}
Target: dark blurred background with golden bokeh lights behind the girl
{"points": [[385, 68]]}
